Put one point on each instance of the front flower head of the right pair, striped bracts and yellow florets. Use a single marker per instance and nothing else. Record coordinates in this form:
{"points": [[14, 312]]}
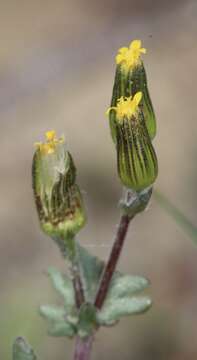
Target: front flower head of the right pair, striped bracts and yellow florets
{"points": [[136, 158]]}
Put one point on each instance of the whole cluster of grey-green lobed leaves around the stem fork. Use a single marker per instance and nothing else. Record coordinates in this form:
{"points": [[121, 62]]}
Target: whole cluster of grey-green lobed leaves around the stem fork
{"points": [[69, 321]]}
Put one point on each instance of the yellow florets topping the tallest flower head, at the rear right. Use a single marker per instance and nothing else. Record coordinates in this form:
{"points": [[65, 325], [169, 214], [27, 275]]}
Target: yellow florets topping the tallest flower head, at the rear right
{"points": [[130, 57]]}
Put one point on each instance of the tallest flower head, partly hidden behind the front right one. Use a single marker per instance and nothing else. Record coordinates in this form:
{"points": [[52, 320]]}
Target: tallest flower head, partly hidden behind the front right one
{"points": [[129, 79]]}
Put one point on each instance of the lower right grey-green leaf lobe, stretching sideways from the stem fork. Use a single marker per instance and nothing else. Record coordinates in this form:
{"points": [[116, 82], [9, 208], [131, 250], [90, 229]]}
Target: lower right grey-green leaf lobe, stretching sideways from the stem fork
{"points": [[113, 311]]}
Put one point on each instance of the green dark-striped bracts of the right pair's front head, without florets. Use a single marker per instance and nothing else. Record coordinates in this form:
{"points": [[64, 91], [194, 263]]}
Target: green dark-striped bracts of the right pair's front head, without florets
{"points": [[136, 158]]}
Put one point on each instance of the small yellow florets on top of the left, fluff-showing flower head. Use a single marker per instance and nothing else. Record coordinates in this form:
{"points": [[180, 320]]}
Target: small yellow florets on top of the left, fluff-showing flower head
{"points": [[51, 143]]}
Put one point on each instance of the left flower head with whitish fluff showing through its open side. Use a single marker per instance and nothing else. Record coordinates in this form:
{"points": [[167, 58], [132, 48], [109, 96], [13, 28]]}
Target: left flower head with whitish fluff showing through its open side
{"points": [[57, 196]]}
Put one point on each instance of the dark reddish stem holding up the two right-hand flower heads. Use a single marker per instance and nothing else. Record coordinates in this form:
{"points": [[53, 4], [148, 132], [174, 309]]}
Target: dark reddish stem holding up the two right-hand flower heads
{"points": [[112, 261]]}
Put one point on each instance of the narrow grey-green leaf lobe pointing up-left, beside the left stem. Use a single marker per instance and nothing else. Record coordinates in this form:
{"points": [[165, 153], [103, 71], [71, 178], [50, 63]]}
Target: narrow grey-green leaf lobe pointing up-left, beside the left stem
{"points": [[63, 285]]}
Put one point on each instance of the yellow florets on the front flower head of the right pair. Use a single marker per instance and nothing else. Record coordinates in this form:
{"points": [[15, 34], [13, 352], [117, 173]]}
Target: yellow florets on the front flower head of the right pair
{"points": [[126, 106]]}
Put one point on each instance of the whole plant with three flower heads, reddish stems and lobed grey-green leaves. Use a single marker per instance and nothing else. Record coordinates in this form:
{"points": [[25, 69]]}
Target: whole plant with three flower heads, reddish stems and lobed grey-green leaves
{"points": [[96, 294]]}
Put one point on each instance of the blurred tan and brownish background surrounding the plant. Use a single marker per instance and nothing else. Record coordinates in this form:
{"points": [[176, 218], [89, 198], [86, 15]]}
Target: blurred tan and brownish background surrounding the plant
{"points": [[56, 71]]}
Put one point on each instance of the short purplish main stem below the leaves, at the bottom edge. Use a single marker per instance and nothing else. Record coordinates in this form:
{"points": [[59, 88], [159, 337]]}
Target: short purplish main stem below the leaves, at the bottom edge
{"points": [[83, 348]]}
